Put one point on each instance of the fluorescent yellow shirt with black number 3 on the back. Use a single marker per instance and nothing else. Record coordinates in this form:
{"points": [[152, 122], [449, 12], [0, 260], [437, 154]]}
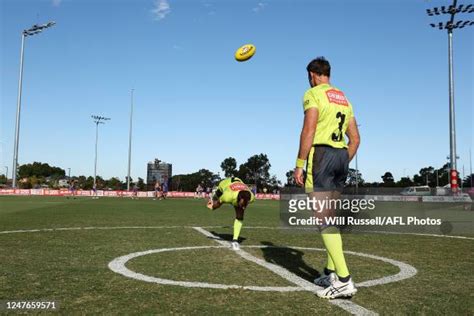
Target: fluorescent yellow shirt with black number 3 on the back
{"points": [[334, 110]]}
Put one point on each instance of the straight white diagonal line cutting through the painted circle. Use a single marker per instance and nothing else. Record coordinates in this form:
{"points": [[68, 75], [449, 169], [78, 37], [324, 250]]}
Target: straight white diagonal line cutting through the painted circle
{"points": [[347, 305]]}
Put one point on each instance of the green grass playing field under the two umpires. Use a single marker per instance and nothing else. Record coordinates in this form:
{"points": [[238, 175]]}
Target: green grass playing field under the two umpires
{"points": [[71, 266]]}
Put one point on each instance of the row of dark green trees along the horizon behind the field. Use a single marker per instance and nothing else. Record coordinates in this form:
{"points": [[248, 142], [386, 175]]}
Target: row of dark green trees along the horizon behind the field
{"points": [[255, 171]]}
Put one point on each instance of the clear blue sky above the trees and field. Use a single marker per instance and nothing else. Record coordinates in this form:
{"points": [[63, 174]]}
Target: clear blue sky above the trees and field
{"points": [[195, 105]]}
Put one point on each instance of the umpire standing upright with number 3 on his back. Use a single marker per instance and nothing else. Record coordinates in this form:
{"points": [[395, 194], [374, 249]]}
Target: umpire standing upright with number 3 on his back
{"points": [[328, 118]]}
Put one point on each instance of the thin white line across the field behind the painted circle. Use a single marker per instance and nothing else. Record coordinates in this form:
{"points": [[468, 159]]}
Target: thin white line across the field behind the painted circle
{"points": [[171, 227]]}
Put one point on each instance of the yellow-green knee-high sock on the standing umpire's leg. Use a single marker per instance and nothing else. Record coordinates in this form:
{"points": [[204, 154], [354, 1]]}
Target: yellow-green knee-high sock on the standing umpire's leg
{"points": [[333, 243]]}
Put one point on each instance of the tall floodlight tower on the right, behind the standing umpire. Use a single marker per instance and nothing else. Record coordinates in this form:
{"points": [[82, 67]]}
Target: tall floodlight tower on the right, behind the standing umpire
{"points": [[450, 26]]}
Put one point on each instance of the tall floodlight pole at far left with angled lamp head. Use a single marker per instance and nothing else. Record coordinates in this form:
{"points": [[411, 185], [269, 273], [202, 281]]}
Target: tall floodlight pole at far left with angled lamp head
{"points": [[35, 29]]}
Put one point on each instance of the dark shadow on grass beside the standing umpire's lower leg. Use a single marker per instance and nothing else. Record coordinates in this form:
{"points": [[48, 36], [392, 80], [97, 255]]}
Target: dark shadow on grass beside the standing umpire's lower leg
{"points": [[290, 259]]}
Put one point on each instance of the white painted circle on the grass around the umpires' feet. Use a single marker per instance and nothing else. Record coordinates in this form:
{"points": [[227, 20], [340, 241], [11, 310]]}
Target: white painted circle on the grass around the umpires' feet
{"points": [[118, 266]]}
